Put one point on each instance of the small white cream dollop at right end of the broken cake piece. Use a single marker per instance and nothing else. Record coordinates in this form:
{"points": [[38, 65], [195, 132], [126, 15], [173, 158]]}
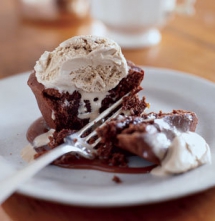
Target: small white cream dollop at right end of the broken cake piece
{"points": [[187, 151]]}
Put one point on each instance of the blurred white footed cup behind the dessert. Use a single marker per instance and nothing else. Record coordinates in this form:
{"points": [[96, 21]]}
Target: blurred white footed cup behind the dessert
{"points": [[134, 23]]}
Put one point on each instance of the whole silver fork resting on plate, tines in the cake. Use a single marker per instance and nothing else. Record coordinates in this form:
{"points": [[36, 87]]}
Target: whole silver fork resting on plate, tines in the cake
{"points": [[73, 143]]}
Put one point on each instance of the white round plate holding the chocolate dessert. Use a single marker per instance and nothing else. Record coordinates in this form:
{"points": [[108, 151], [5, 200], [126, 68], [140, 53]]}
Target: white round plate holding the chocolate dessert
{"points": [[164, 89]]}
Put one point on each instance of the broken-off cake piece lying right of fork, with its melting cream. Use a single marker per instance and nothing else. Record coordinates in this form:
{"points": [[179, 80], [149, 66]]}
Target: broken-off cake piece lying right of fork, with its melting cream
{"points": [[165, 139]]}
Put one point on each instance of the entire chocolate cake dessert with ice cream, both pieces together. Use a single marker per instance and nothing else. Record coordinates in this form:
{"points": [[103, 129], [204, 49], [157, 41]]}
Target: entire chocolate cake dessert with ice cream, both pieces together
{"points": [[84, 76]]}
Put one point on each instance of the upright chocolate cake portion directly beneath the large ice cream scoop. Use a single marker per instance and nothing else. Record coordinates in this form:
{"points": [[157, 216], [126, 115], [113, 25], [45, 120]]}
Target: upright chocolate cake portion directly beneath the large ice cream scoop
{"points": [[66, 116]]}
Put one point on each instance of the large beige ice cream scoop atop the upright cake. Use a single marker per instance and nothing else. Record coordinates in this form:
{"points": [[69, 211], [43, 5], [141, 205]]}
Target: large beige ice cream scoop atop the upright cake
{"points": [[87, 63]]}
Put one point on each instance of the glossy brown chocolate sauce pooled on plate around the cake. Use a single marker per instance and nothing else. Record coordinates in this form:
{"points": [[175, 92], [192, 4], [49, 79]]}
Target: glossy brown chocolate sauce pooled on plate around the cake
{"points": [[39, 127]]}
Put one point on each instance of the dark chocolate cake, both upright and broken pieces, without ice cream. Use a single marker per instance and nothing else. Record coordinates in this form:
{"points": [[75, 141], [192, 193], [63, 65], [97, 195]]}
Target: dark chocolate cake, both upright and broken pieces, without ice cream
{"points": [[121, 137]]}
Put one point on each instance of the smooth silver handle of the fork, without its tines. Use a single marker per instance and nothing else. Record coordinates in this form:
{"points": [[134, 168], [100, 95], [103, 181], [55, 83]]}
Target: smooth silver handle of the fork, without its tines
{"points": [[13, 182]]}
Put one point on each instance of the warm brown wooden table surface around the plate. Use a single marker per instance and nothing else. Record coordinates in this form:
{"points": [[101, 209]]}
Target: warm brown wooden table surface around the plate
{"points": [[188, 44]]}
